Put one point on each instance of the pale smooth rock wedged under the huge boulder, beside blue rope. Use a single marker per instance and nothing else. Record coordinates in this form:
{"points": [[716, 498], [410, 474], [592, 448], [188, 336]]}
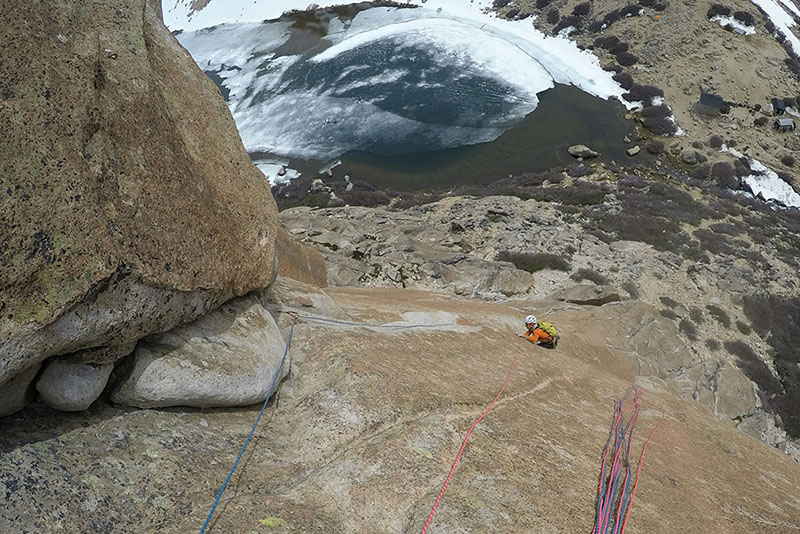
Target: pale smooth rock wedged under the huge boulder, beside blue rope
{"points": [[227, 358]]}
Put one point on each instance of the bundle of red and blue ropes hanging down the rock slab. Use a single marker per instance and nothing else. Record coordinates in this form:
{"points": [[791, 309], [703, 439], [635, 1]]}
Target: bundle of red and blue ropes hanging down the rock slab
{"points": [[612, 489]]}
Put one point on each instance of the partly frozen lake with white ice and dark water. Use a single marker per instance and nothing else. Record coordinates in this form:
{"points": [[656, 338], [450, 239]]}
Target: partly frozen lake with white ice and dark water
{"points": [[415, 97]]}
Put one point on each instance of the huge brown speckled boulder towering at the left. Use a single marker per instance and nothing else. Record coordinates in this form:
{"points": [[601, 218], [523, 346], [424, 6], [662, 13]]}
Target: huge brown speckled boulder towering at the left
{"points": [[129, 204]]}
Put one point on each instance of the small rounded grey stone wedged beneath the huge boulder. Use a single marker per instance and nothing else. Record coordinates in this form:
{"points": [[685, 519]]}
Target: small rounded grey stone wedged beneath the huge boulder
{"points": [[72, 387]]}
